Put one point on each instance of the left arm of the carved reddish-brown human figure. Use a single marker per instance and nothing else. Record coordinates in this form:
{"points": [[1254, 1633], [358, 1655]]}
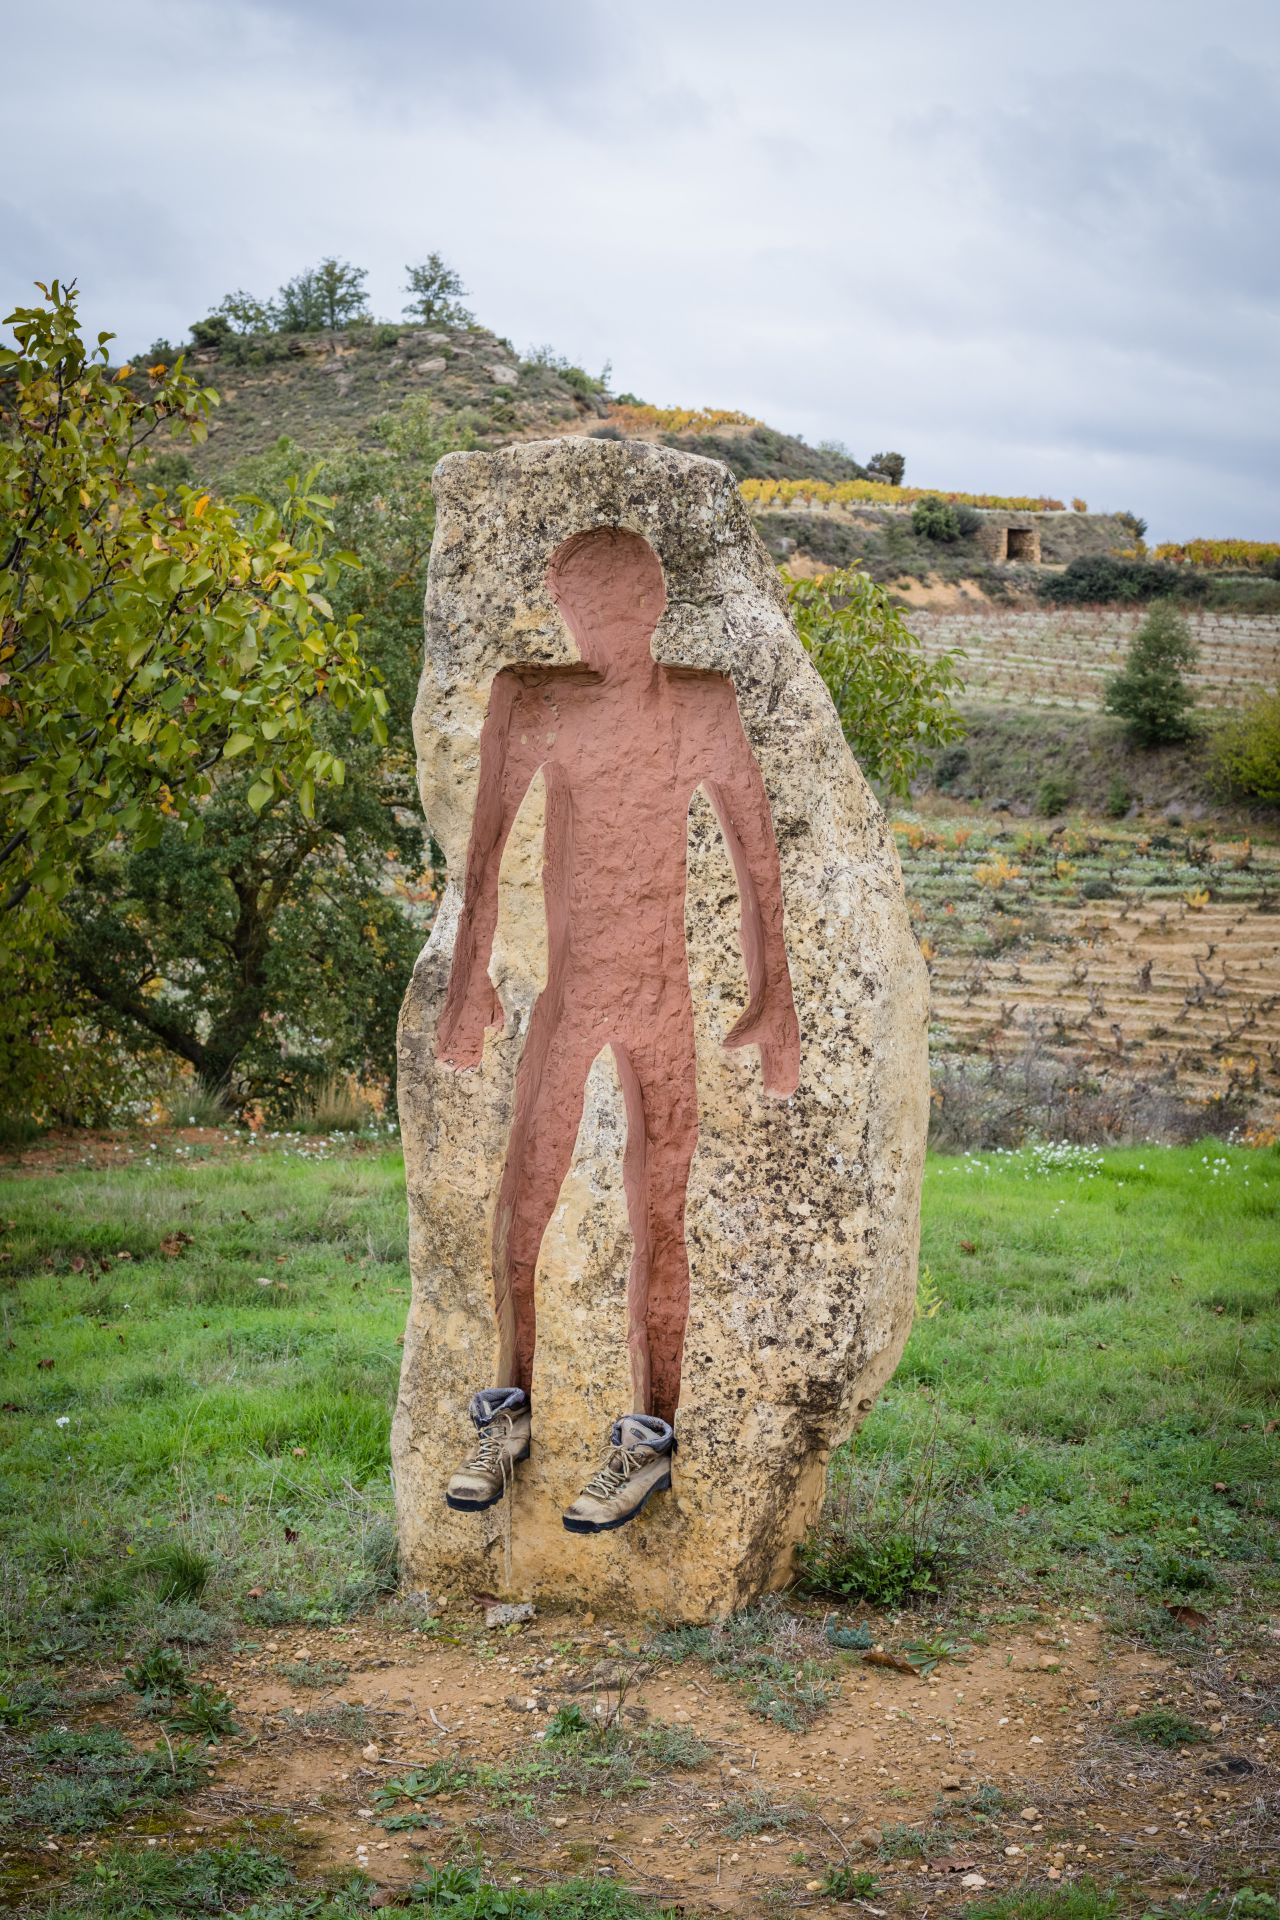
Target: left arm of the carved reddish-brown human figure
{"points": [[506, 773]]}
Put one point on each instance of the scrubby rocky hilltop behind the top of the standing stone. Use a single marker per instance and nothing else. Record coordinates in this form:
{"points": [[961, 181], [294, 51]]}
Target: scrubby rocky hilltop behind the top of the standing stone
{"points": [[331, 389]]}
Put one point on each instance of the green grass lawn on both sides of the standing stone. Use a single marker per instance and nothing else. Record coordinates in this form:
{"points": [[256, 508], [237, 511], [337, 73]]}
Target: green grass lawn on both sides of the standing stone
{"points": [[1091, 1399]]}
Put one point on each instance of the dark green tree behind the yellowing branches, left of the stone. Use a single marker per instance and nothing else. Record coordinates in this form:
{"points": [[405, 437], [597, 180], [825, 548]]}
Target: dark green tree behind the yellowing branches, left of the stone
{"points": [[277, 953]]}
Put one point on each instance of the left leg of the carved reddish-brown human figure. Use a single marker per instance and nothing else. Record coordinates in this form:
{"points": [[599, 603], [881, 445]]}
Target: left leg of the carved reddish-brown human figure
{"points": [[550, 1093]]}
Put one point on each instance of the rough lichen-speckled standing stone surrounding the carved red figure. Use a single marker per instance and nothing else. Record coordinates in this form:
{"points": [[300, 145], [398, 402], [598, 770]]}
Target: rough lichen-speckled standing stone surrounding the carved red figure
{"points": [[803, 1212]]}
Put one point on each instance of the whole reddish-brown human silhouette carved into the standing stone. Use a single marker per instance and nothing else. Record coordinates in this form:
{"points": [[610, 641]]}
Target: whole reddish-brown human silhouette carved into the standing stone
{"points": [[623, 746]]}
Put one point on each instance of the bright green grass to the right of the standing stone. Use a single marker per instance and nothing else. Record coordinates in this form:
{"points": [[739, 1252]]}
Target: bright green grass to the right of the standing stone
{"points": [[1095, 1395]]}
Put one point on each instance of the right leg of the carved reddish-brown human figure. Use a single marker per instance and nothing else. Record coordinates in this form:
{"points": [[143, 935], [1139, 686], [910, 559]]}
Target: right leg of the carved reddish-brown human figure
{"points": [[659, 1084]]}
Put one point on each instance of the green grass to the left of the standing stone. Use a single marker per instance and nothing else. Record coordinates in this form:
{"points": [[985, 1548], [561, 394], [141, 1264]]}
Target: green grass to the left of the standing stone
{"points": [[210, 1424]]}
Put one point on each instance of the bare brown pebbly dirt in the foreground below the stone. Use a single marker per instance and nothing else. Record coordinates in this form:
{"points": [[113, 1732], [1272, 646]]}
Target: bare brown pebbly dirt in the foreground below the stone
{"points": [[1007, 1767]]}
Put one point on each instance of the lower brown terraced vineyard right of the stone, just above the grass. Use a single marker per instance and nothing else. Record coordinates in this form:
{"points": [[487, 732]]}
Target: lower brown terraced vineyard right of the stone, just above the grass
{"points": [[1129, 957]]}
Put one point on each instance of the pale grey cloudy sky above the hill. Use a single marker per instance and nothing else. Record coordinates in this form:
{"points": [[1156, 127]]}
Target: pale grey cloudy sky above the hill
{"points": [[1033, 249]]}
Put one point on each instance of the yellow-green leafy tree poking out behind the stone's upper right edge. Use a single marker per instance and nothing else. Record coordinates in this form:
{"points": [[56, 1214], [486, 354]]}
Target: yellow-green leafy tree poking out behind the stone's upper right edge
{"points": [[893, 702]]}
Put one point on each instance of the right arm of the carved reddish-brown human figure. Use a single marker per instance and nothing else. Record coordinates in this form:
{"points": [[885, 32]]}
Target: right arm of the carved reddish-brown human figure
{"points": [[744, 811]]}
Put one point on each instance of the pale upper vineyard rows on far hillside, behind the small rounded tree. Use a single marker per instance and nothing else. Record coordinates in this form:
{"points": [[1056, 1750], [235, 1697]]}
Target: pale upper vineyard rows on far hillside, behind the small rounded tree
{"points": [[1062, 658]]}
